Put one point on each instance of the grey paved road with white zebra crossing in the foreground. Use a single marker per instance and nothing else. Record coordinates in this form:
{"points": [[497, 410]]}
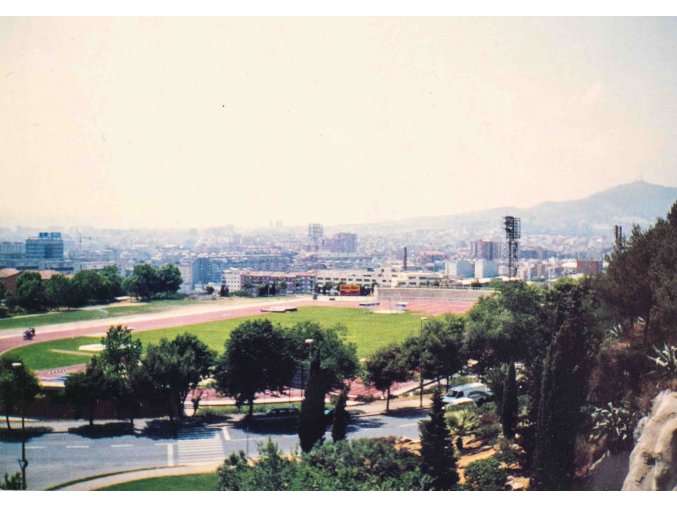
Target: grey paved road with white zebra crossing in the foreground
{"points": [[55, 458]]}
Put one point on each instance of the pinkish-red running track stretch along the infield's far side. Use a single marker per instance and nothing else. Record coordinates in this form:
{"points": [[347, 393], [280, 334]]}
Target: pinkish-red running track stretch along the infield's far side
{"points": [[426, 307]]}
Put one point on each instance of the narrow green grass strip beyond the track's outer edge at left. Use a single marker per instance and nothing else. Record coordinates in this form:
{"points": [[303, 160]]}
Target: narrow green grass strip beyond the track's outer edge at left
{"points": [[44, 319]]}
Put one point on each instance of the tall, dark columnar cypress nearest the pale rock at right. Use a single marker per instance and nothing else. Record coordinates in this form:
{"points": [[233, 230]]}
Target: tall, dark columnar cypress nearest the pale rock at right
{"points": [[563, 391]]}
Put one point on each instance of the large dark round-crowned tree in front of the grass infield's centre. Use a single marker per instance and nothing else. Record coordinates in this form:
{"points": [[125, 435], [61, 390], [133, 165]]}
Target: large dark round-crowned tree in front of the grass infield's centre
{"points": [[258, 357]]}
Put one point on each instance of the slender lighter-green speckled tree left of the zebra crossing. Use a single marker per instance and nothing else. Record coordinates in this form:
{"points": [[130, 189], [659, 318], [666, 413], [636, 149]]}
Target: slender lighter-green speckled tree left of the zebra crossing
{"points": [[120, 360]]}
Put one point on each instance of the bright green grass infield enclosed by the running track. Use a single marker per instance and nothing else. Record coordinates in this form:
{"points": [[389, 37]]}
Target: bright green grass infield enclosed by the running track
{"points": [[369, 331]]}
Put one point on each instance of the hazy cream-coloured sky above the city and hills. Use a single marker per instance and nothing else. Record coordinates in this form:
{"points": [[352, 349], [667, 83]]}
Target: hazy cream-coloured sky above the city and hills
{"points": [[165, 122]]}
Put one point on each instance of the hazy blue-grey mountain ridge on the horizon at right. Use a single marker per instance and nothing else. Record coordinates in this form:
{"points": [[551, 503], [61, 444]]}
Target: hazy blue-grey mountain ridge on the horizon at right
{"points": [[633, 203]]}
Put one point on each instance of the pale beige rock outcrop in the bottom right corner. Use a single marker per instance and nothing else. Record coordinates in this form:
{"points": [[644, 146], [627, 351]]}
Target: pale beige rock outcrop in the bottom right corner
{"points": [[653, 462]]}
